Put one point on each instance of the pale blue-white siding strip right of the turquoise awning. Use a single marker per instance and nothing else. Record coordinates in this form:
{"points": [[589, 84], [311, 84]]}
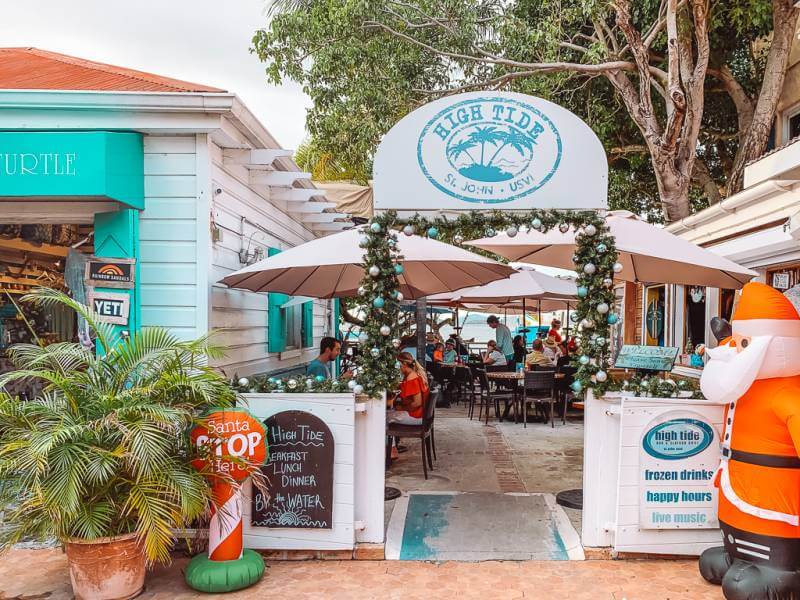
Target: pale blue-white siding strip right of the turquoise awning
{"points": [[168, 236]]}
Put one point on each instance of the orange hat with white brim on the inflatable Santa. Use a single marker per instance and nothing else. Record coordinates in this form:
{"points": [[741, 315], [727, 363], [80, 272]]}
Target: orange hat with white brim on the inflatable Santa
{"points": [[763, 310]]}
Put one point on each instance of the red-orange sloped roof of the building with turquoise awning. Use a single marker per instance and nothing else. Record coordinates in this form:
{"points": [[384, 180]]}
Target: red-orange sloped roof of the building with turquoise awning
{"points": [[34, 69]]}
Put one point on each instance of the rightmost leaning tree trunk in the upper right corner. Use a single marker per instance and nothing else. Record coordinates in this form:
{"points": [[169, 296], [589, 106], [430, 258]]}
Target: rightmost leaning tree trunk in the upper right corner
{"points": [[784, 19]]}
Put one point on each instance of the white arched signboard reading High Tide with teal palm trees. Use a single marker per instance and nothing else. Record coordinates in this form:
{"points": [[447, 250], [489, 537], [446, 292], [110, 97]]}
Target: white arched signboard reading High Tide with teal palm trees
{"points": [[490, 150]]}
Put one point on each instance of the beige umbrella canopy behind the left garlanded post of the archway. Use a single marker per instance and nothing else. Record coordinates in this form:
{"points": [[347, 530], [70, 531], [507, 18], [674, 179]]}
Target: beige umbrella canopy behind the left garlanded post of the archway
{"points": [[332, 267]]}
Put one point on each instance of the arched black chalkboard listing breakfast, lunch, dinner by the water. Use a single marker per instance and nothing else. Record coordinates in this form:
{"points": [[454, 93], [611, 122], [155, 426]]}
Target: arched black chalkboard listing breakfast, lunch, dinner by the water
{"points": [[299, 474]]}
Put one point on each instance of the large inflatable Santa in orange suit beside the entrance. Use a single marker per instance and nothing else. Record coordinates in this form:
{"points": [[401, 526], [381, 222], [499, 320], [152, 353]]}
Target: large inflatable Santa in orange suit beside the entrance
{"points": [[756, 372]]}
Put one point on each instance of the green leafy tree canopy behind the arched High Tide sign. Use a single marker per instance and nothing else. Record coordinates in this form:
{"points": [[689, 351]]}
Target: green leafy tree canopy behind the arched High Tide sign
{"points": [[362, 77]]}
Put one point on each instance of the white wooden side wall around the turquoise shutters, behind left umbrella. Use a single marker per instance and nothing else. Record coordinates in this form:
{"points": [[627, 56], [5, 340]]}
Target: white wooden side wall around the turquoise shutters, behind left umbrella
{"points": [[241, 316]]}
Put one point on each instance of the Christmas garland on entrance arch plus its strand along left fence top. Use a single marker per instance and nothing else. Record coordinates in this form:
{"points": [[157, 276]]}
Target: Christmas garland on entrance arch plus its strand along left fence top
{"points": [[377, 369]]}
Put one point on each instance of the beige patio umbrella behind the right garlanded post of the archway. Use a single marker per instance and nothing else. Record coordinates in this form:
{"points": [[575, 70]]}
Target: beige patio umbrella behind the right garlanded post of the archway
{"points": [[647, 253]]}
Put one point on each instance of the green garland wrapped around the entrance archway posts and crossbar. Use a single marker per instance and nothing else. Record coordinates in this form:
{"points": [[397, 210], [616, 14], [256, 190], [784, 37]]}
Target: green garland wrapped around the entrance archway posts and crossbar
{"points": [[379, 373]]}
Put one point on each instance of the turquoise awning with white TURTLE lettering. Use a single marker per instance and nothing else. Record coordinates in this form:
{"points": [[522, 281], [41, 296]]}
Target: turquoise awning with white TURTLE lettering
{"points": [[73, 165]]}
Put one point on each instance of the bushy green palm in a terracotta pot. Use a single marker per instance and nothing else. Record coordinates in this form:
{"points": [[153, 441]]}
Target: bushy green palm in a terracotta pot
{"points": [[99, 459]]}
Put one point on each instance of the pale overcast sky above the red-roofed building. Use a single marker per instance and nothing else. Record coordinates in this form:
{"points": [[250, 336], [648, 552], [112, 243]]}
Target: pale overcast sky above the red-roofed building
{"points": [[203, 41]]}
